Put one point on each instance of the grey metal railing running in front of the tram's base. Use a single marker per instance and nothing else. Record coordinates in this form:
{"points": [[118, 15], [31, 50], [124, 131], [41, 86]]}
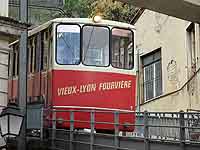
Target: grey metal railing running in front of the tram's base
{"points": [[149, 127]]}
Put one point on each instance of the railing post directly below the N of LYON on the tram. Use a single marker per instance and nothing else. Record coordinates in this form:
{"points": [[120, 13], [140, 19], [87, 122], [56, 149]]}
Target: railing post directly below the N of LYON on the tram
{"points": [[92, 124]]}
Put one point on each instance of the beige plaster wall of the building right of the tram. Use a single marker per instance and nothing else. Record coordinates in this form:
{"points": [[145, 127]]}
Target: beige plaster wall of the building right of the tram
{"points": [[180, 90]]}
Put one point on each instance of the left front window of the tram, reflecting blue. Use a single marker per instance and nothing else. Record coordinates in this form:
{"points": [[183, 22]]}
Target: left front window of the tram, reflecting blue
{"points": [[68, 44]]}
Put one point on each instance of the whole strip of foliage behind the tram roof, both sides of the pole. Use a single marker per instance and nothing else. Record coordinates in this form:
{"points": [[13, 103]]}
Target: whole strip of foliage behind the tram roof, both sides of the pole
{"points": [[108, 9]]}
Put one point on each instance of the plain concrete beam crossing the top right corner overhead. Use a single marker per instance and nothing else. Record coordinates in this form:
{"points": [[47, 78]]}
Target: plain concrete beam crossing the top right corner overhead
{"points": [[183, 9]]}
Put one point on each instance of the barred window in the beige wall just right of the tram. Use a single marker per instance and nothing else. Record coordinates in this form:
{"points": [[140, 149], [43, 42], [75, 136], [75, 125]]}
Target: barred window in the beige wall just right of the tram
{"points": [[152, 70]]}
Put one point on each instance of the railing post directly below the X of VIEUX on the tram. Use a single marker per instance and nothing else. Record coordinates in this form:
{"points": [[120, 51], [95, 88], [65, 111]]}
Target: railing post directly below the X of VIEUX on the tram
{"points": [[71, 130]]}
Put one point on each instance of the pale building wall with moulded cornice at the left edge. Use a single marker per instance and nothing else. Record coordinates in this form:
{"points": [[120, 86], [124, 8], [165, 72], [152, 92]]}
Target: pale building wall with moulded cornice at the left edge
{"points": [[9, 31]]}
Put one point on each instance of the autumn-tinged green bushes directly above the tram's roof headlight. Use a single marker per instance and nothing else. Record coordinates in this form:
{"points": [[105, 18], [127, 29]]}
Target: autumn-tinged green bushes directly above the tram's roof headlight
{"points": [[108, 9]]}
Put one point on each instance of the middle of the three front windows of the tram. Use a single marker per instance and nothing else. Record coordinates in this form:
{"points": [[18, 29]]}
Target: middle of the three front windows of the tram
{"points": [[95, 46]]}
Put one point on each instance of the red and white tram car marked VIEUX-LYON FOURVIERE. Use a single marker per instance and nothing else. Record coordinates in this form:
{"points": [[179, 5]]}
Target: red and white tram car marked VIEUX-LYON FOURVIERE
{"points": [[76, 63]]}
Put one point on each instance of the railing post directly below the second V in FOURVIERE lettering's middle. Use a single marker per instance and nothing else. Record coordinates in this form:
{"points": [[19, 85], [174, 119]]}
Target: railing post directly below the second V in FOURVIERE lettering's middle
{"points": [[116, 119]]}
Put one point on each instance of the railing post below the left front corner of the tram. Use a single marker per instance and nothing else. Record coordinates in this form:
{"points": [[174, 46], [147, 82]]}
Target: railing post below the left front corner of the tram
{"points": [[53, 136]]}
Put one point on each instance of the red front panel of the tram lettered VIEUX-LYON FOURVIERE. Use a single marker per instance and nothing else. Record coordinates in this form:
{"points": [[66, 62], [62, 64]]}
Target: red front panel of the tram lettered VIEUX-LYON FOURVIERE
{"points": [[97, 90]]}
